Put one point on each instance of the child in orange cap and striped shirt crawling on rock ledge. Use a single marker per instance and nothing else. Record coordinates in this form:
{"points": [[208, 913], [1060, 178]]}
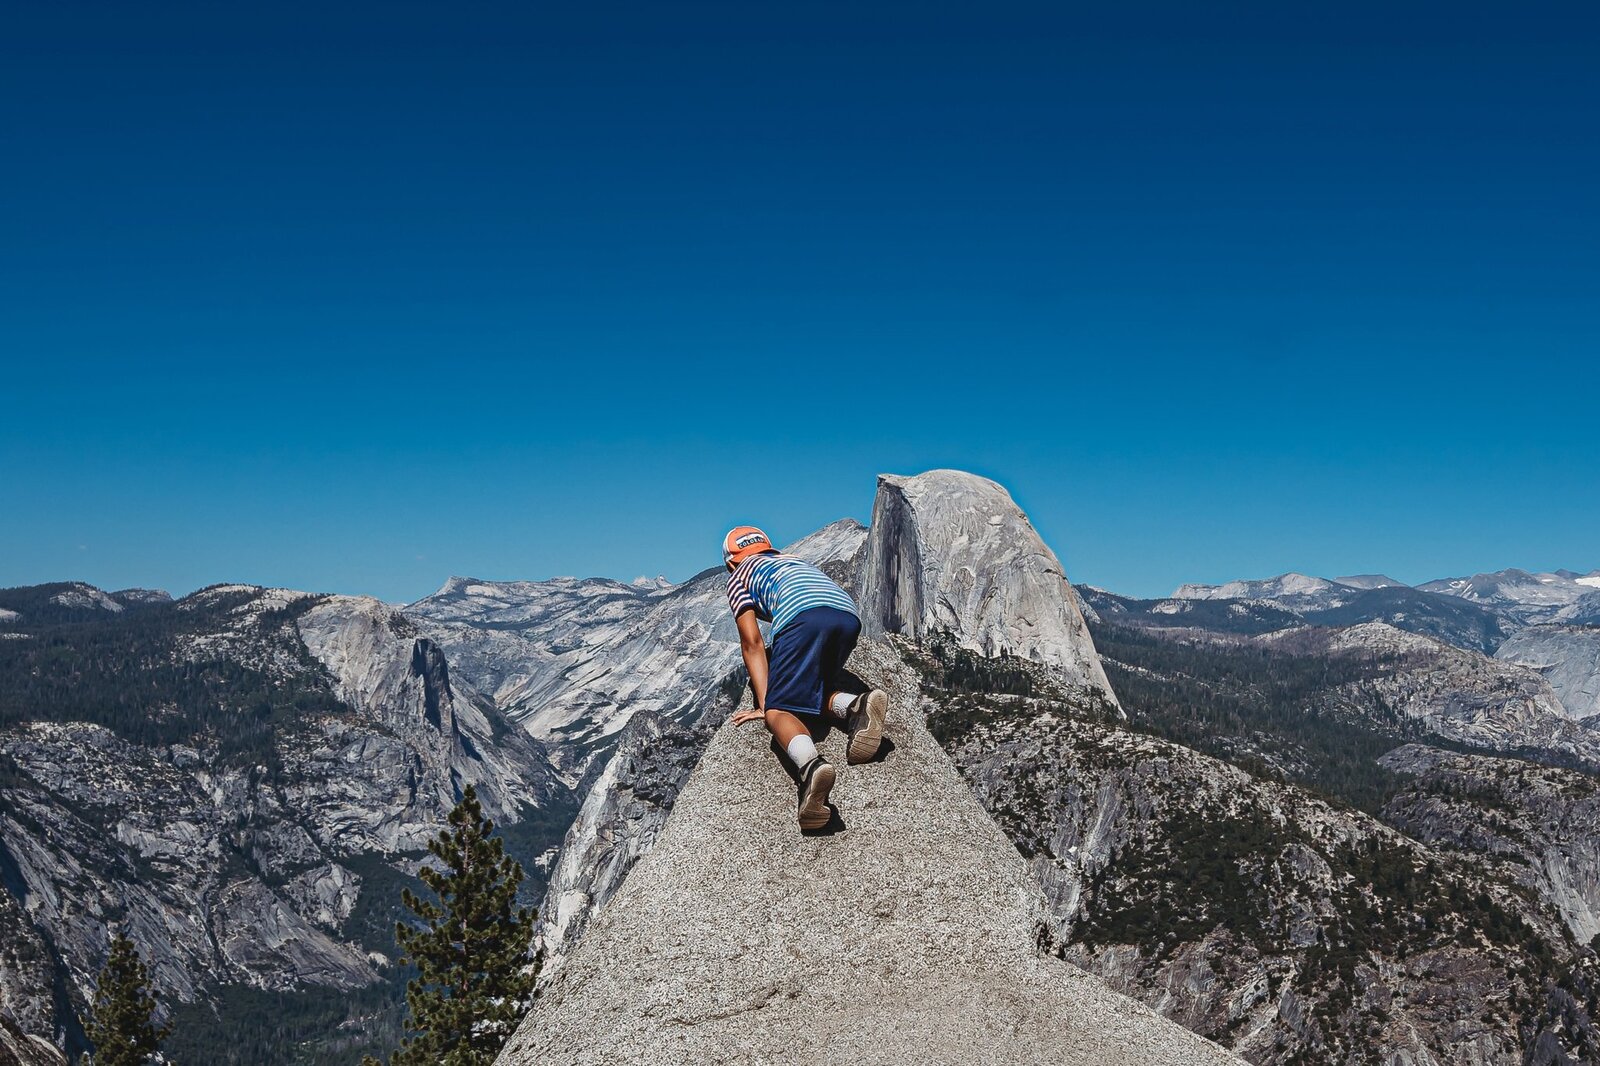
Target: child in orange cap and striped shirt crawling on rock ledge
{"points": [[815, 630]]}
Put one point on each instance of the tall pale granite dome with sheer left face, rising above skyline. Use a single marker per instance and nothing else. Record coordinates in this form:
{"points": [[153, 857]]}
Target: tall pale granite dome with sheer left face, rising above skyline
{"points": [[951, 553]]}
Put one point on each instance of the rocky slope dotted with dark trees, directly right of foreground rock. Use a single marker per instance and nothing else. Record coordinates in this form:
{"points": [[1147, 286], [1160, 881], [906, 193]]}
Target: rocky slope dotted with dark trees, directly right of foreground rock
{"points": [[1257, 915]]}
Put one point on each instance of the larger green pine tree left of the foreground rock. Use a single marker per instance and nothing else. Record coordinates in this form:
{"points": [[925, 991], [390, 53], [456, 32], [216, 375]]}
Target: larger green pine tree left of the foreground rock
{"points": [[471, 950]]}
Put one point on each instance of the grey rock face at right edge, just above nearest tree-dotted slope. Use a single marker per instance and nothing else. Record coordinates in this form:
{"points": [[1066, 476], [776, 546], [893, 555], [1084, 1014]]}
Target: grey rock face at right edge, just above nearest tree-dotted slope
{"points": [[1542, 824]]}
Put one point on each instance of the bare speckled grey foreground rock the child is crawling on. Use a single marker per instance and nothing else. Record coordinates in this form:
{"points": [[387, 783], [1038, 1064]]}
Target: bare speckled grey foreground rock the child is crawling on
{"points": [[910, 934]]}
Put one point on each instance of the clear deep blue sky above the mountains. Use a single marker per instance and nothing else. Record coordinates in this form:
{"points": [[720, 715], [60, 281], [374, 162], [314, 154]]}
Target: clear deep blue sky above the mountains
{"points": [[359, 297]]}
